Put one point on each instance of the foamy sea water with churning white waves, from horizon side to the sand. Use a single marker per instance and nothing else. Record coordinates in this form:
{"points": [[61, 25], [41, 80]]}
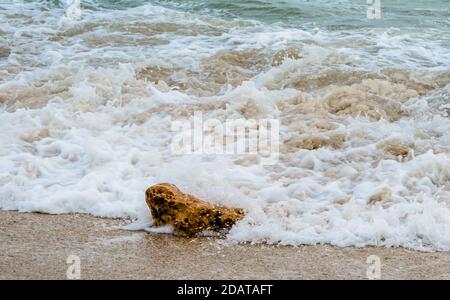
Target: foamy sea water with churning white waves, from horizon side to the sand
{"points": [[87, 105]]}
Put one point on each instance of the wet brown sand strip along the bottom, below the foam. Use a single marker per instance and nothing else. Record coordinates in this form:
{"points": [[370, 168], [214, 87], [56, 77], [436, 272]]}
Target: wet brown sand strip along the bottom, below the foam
{"points": [[36, 246]]}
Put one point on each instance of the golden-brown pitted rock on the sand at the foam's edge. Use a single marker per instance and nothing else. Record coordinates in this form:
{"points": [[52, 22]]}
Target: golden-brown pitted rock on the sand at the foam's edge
{"points": [[186, 213]]}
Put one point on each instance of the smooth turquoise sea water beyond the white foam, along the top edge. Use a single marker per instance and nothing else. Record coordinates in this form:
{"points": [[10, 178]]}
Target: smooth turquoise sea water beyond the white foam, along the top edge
{"points": [[332, 14]]}
